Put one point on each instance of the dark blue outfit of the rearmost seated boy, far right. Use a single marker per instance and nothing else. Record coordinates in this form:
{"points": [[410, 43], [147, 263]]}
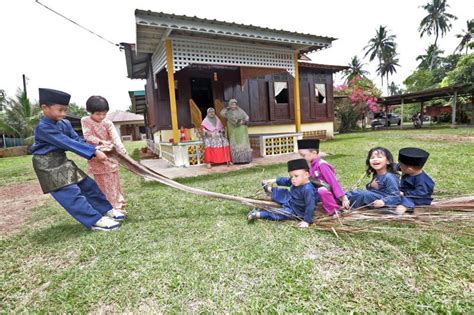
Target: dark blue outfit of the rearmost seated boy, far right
{"points": [[417, 190]]}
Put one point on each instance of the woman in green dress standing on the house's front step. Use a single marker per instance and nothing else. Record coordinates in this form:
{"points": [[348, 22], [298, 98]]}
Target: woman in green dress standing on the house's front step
{"points": [[237, 132]]}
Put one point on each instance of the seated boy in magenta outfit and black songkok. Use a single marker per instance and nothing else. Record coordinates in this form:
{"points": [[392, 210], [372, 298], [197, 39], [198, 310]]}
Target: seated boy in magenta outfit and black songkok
{"points": [[323, 175]]}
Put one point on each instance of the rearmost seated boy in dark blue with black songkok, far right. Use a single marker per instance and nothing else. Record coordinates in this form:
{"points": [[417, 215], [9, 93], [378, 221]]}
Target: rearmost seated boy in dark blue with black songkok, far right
{"points": [[416, 187]]}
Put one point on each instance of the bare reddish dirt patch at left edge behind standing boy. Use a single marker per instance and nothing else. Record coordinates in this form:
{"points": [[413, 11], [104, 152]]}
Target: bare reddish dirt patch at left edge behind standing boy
{"points": [[16, 205]]}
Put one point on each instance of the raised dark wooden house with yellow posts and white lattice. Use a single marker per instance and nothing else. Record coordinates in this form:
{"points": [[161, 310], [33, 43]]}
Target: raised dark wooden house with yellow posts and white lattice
{"points": [[191, 64]]}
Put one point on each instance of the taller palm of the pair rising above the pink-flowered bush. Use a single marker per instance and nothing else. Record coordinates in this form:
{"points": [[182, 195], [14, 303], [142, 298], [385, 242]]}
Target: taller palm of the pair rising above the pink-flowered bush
{"points": [[382, 44]]}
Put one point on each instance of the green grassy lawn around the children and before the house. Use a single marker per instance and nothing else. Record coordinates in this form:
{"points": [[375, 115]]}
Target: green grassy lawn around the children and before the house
{"points": [[183, 253]]}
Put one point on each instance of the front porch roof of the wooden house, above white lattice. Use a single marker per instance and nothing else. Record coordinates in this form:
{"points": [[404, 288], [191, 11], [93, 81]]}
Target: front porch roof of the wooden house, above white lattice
{"points": [[153, 27]]}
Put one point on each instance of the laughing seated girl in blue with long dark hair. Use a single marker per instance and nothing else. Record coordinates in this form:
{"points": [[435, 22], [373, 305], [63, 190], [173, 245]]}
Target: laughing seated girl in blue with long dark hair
{"points": [[383, 190]]}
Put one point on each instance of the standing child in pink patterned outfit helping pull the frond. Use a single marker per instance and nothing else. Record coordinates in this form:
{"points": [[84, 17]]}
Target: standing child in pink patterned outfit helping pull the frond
{"points": [[101, 132]]}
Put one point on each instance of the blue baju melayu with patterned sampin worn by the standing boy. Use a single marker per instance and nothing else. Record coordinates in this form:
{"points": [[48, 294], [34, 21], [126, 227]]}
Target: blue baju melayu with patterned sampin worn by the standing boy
{"points": [[70, 186]]}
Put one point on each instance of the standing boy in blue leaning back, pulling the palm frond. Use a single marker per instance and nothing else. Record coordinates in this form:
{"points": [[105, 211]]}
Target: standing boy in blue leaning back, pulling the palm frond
{"points": [[71, 187]]}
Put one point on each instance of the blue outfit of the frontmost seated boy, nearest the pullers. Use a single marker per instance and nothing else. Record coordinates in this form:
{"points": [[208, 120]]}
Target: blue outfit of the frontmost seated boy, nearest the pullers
{"points": [[297, 202]]}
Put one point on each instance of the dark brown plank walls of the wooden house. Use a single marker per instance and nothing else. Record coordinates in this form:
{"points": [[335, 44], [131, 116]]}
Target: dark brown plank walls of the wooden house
{"points": [[256, 98]]}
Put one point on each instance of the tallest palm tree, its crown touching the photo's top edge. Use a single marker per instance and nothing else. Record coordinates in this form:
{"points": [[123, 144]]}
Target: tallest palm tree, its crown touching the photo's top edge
{"points": [[437, 20]]}
